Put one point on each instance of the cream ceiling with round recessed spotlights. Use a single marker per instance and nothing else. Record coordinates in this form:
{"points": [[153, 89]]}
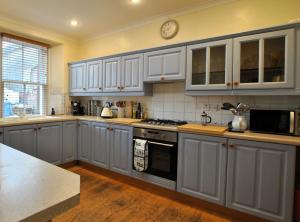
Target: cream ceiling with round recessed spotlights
{"points": [[94, 17]]}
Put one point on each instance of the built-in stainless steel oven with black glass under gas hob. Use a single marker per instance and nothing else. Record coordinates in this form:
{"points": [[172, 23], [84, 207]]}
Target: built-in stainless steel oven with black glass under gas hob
{"points": [[162, 152]]}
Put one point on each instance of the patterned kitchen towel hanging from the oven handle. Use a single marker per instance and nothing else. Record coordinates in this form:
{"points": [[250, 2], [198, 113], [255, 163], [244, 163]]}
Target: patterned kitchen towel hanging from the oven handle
{"points": [[140, 155]]}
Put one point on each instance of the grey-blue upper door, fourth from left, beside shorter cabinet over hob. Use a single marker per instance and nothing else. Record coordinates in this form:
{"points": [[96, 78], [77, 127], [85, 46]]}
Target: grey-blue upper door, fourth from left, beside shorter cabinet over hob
{"points": [[132, 73]]}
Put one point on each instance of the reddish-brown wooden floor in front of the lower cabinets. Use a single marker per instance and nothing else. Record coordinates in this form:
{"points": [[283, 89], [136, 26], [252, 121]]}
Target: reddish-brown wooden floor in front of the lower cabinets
{"points": [[106, 199]]}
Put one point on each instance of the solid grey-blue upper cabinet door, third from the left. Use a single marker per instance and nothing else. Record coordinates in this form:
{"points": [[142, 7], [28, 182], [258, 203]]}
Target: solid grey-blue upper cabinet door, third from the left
{"points": [[111, 72]]}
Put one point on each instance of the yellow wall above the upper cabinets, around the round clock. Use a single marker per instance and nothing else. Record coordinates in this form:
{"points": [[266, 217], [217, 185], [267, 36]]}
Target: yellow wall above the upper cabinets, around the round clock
{"points": [[227, 18]]}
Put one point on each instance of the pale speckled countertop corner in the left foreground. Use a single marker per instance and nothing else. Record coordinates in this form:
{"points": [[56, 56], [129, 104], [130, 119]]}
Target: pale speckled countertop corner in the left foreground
{"points": [[32, 189]]}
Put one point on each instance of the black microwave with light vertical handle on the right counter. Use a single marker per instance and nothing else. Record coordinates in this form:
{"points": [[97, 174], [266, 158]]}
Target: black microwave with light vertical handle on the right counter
{"points": [[286, 122]]}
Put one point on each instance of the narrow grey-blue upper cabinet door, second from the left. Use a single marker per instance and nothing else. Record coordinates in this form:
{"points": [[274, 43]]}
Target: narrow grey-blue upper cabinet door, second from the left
{"points": [[94, 76]]}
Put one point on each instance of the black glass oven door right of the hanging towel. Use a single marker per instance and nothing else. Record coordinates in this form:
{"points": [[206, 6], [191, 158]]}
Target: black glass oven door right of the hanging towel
{"points": [[162, 159]]}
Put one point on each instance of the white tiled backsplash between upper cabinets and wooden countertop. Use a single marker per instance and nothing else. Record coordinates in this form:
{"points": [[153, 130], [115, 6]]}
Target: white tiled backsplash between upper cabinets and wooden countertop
{"points": [[170, 102]]}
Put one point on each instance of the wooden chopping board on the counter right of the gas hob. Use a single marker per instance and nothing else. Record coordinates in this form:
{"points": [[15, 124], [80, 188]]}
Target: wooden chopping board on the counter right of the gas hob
{"points": [[199, 128]]}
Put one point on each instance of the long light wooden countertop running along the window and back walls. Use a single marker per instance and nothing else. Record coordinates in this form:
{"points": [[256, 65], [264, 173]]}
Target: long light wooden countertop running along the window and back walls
{"points": [[187, 128]]}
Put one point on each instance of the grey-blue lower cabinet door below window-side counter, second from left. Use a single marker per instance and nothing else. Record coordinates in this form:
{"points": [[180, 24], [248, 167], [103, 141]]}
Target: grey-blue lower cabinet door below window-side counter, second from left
{"points": [[49, 142]]}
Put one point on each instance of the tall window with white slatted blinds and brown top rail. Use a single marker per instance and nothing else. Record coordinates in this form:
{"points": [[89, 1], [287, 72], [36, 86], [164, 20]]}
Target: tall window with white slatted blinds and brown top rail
{"points": [[24, 77]]}
